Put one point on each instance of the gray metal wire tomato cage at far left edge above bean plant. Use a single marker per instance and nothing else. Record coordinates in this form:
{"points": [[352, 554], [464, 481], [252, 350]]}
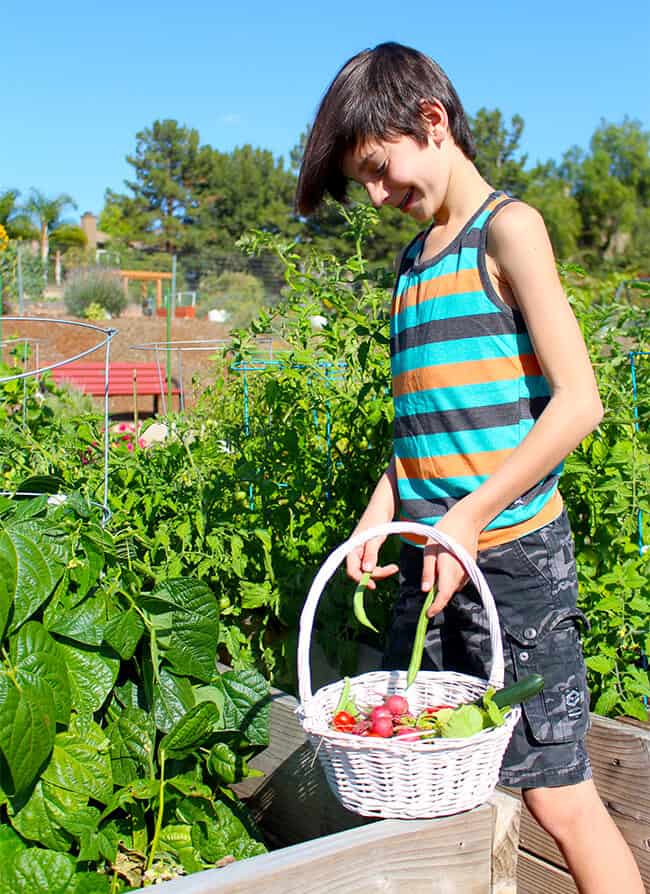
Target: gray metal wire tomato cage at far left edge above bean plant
{"points": [[26, 348]]}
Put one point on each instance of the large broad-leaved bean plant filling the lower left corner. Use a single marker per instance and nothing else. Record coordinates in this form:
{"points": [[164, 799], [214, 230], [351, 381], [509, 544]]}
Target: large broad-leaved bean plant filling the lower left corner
{"points": [[119, 736]]}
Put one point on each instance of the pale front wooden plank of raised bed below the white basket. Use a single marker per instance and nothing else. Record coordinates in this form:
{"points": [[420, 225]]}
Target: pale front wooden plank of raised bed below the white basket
{"points": [[440, 856]]}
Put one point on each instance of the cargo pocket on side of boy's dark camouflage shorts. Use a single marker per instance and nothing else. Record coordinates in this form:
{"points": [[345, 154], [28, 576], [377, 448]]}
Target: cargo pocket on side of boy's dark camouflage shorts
{"points": [[560, 713]]}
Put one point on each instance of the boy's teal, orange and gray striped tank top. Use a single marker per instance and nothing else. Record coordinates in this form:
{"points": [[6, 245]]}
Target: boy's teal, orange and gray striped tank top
{"points": [[467, 386]]}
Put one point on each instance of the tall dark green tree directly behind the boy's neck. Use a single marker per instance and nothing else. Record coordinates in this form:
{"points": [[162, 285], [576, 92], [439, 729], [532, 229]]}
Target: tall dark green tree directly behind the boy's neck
{"points": [[498, 156]]}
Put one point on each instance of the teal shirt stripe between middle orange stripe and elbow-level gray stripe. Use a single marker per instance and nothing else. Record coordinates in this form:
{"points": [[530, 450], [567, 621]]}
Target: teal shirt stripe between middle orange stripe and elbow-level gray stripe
{"points": [[483, 394]]}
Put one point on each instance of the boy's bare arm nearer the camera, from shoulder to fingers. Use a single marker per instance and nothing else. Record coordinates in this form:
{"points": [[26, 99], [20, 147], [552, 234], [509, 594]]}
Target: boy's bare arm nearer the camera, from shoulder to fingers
{"points": [[520, 252]]}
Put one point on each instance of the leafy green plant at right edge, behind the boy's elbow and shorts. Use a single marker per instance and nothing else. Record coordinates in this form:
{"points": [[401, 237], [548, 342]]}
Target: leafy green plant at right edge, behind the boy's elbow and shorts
{"points": [[605, 485]]}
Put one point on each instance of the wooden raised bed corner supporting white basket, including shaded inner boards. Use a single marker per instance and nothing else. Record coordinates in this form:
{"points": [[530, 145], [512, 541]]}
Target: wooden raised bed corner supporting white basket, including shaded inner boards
{"points": [[324, 849]]}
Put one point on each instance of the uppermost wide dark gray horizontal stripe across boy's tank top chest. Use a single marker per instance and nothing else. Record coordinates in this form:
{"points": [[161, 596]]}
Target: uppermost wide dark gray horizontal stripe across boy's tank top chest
{"points": [[475, 326]]}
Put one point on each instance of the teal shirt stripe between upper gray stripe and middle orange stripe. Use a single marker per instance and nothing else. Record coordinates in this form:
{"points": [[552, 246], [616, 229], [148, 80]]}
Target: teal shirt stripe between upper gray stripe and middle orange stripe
{"points": [[488, 347]]}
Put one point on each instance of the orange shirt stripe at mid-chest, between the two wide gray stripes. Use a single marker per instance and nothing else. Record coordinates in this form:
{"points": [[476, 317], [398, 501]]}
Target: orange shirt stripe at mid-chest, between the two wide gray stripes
{"points": [[466, 372]]}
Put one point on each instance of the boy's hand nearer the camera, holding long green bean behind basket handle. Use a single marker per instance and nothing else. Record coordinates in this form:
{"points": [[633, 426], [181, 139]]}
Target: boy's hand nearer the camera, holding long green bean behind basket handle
{"points": [[443, 569]]}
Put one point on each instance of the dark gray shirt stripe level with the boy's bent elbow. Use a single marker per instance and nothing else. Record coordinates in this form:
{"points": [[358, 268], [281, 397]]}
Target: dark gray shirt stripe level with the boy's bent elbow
{"points": [[469, 418]]}
